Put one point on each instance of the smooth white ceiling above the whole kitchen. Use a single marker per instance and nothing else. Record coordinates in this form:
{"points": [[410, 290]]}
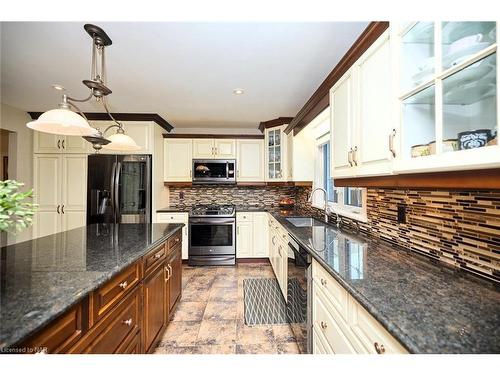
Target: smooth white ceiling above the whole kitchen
{"points": [[186, 72]]}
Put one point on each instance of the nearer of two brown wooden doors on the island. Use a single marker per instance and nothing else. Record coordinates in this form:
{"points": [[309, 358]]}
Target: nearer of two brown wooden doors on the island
{"points": [[155, 306]]}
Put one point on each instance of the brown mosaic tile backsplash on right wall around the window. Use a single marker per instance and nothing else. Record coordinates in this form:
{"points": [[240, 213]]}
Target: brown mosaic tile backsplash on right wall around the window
{"points": [[461, 228]]}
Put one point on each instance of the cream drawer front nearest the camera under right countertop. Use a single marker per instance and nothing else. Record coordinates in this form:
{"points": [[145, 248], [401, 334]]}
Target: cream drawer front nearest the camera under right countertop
{"points": [[370, 333]]}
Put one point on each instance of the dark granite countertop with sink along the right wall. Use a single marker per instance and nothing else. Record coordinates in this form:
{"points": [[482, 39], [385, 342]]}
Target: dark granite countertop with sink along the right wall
{"points": [[428, 306]]}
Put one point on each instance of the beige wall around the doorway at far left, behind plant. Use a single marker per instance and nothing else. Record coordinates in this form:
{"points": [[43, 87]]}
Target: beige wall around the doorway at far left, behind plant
{"points": [[20, 153]]}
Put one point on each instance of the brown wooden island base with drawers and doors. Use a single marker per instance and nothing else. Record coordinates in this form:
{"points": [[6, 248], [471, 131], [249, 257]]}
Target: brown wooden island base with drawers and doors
{"points": [[128, 314]]}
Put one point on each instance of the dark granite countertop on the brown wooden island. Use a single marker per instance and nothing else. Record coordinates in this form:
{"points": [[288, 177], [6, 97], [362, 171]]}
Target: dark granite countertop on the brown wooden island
{"points": [[43, 278]]}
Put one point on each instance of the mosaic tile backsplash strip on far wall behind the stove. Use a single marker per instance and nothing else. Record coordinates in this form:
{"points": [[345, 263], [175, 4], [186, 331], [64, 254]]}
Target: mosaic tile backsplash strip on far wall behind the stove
{"points": [[237, 195]]}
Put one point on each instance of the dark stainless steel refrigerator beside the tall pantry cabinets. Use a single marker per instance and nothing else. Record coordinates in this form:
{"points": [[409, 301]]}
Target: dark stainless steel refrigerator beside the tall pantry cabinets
{"points": [[119, 189]]}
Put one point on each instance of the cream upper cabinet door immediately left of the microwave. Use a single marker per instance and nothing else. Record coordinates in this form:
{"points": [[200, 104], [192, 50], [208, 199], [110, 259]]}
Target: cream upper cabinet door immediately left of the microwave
{"points": [[178, 158]]}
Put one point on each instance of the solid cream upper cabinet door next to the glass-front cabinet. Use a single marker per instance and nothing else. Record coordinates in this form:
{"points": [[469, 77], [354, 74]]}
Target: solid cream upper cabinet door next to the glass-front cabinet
{"points": [[377, 123]]}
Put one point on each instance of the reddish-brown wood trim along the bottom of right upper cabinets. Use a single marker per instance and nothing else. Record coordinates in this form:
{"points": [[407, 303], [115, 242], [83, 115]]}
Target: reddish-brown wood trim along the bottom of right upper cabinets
{"points": [[471, 179]]}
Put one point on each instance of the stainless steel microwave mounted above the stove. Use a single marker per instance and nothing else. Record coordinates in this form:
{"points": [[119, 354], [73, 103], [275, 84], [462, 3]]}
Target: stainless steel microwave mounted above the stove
{"points": [[214, 171]]}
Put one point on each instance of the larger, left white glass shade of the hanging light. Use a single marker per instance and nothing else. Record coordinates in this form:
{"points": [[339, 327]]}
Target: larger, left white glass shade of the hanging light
{"points": [[63, 122]]}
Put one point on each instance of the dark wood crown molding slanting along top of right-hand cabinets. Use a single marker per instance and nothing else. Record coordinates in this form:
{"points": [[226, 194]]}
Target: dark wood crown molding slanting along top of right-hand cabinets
{"points": [[319, 101]]}
